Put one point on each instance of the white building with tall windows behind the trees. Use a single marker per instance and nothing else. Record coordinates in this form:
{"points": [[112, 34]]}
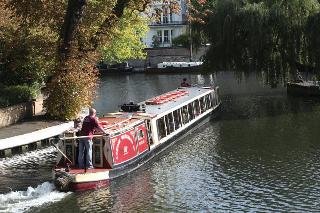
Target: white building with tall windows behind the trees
{"points": [[170, 25]]}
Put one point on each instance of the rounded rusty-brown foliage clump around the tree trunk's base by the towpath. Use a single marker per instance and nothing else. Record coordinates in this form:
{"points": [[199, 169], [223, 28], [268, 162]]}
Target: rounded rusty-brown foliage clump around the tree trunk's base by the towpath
{"points": [[71, 89]]}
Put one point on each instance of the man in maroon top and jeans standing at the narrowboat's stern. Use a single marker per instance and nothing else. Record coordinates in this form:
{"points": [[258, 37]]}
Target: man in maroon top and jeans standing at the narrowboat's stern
{"points": [[89, 124]]}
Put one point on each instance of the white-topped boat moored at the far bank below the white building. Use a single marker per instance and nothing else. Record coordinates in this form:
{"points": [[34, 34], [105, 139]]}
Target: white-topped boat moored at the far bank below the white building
{"points": [[175, 66]]}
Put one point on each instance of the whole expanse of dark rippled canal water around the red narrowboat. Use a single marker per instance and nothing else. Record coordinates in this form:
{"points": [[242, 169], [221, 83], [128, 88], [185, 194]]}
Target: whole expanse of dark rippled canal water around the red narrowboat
{"points": [[261, 155]]}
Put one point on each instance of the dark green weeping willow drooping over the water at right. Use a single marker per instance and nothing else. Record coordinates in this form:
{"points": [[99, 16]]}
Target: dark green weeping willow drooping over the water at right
{"points": [[252, 35]]}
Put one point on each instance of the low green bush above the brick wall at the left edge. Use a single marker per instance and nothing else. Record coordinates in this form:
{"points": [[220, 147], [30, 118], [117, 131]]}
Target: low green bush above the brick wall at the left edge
{"points": [[12, 95]]}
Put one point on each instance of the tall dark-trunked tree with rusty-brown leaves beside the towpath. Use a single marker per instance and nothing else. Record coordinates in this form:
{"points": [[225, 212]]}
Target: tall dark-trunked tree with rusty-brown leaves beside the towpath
{"points": [[80, 29]]}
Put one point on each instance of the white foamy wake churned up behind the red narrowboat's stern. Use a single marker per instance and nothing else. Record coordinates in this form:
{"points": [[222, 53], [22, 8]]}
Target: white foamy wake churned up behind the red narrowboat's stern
{"points": [[20, 201]]}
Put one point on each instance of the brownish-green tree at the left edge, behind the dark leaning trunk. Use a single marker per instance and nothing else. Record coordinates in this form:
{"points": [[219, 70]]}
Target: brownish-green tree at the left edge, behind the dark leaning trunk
{"points": [[27, 53]]}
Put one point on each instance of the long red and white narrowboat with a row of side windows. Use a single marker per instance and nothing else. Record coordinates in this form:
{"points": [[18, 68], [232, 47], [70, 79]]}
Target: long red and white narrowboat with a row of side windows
{"points": [[136, 134]]}
